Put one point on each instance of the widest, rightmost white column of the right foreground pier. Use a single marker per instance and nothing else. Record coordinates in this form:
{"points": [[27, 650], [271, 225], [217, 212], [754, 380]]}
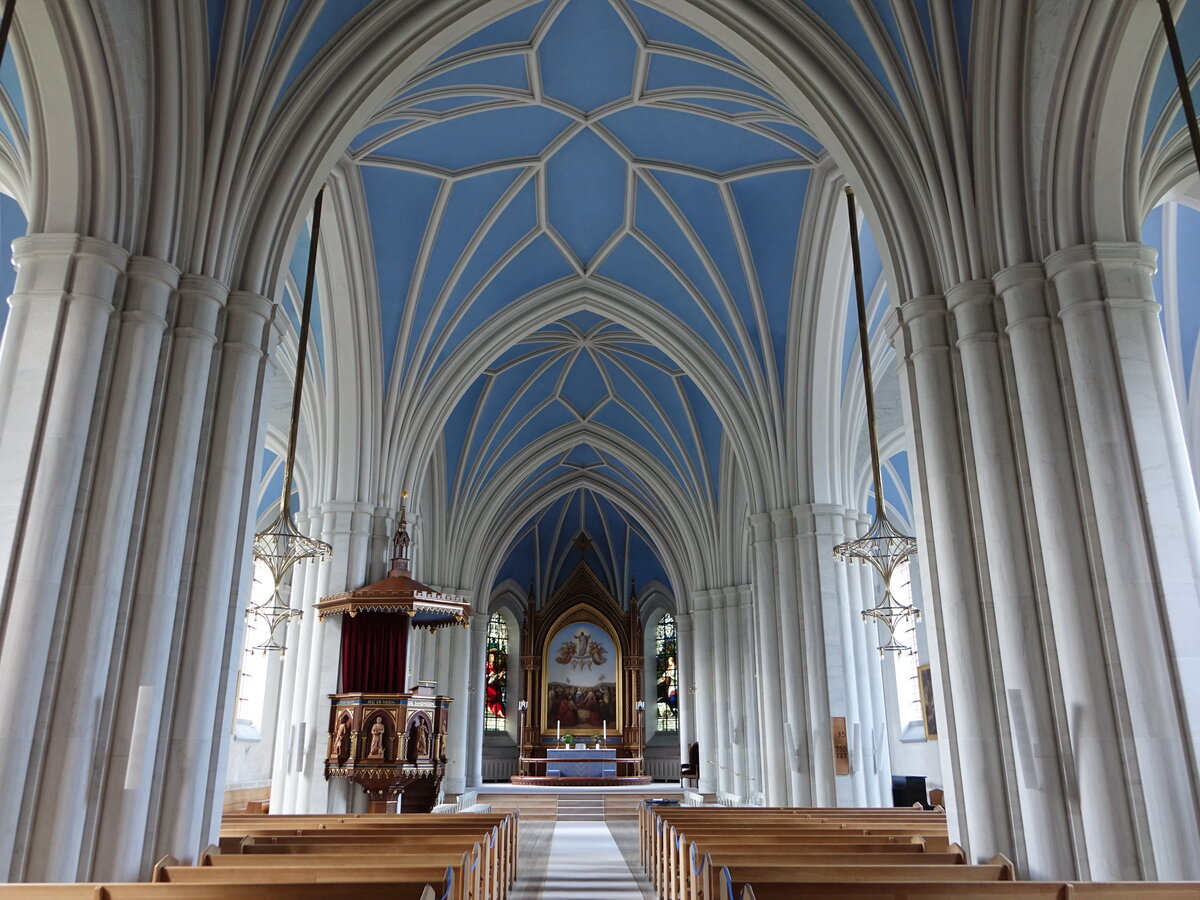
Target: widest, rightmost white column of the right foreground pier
{"points": [[1145, 525]]}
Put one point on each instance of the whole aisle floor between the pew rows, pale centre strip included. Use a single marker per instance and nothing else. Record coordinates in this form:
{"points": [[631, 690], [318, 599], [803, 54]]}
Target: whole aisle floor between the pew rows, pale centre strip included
{"points": [[577, 861]]}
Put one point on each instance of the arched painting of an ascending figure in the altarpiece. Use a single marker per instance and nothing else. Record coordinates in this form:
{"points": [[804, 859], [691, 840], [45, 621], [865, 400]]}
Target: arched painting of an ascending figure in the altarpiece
{"points": [[581, 680]]}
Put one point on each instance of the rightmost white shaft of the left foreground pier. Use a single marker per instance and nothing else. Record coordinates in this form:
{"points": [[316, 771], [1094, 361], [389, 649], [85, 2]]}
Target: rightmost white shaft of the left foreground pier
{"points": [[199, 722]]}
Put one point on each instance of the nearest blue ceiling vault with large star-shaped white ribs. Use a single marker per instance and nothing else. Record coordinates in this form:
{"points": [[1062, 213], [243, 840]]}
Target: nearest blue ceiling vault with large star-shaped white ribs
{"points": [[586, 140]]}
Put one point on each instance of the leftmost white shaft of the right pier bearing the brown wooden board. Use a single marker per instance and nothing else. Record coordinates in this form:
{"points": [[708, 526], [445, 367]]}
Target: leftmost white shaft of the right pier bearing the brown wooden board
{"points": [[778, 754]]}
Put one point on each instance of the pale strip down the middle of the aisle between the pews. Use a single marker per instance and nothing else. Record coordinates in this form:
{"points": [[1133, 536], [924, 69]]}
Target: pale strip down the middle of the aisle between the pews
{"points": [[585, 865]]}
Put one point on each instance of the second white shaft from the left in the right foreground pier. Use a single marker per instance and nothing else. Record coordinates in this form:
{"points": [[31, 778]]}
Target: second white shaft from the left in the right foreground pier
{"points": [[1033, 743]]}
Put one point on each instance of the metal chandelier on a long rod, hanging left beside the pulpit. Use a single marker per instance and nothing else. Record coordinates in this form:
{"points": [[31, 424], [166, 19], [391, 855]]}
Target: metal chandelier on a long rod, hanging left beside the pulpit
{"points": [[281, 545]]}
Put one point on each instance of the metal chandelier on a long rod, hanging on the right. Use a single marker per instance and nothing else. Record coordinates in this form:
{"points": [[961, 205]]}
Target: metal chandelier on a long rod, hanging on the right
{"points": [[883, 547]]}
